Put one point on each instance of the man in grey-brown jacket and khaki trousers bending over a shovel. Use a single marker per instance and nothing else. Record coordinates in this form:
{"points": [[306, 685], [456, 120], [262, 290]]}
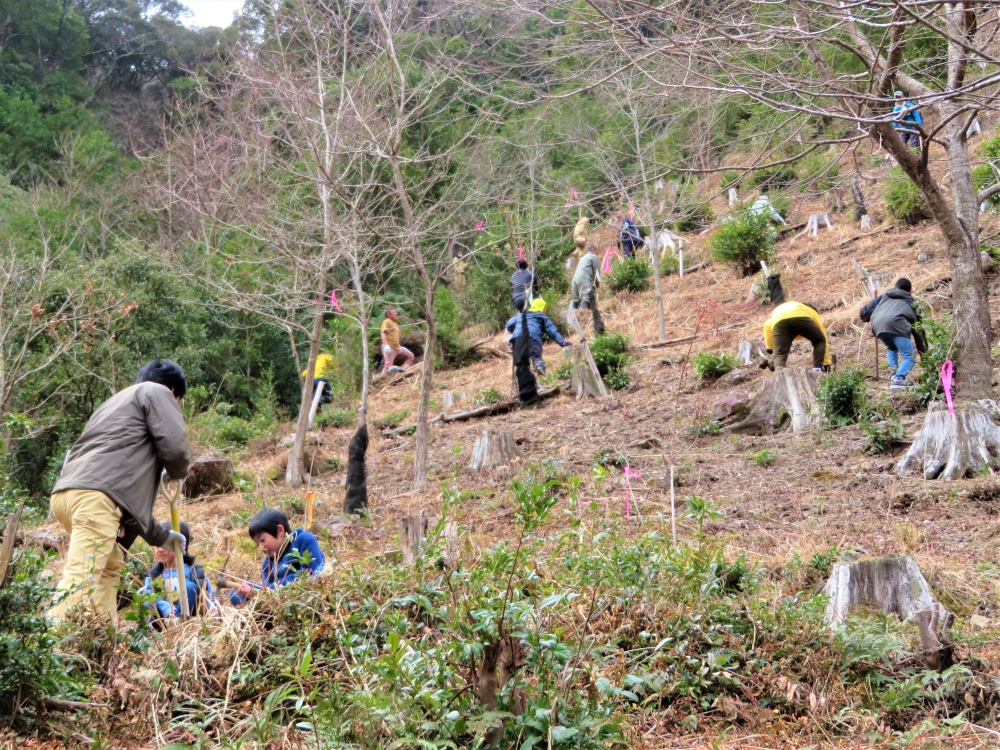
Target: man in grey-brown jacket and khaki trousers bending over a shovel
{"points": [[105, 493]]}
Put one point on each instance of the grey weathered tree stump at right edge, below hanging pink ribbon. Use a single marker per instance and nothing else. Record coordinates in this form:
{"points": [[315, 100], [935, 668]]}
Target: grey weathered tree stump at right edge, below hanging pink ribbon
{"points": [[954, 447]]}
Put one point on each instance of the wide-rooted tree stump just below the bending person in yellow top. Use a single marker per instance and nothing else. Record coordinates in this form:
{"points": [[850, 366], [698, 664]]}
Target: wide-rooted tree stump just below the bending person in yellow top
{"points": [[788, 396]]}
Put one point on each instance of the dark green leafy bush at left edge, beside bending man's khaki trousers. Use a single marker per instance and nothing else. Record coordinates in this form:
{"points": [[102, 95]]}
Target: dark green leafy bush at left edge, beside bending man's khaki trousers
{"points": [[31, 666]]}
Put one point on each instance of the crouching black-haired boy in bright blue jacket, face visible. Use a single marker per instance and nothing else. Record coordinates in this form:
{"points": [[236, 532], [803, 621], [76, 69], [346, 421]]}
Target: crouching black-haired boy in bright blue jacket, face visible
{"points": [[288, 555]]}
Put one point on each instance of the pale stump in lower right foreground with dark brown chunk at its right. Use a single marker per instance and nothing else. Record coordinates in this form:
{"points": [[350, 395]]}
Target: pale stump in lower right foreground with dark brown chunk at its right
{"points": [[895, 584]]}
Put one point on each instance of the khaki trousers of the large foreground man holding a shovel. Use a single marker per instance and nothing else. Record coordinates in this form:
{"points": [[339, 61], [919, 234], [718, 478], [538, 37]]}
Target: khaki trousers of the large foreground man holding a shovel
{"points": [[94, 561]]}
